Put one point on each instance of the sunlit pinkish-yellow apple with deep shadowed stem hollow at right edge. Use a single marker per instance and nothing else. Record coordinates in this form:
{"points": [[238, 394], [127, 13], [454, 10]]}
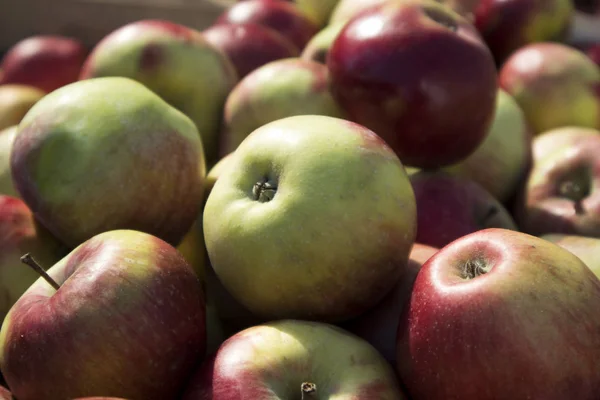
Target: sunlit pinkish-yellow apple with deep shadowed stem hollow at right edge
{"points": [[561, 193]]}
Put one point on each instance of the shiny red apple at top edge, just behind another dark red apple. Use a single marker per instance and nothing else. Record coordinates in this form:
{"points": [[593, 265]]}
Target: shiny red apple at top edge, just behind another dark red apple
{"points": [[281, 16]]}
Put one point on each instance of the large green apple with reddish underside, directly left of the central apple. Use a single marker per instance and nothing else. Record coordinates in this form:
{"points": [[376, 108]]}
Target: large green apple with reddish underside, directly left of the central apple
{"points": [[90, 154]]}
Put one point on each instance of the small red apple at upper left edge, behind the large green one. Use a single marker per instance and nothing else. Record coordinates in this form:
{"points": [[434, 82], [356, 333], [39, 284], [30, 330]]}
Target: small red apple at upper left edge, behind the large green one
{"points": [[46, 62]]}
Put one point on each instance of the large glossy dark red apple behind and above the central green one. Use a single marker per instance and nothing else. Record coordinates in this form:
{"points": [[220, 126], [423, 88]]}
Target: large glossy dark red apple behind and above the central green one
{"points": [[384, 65]]}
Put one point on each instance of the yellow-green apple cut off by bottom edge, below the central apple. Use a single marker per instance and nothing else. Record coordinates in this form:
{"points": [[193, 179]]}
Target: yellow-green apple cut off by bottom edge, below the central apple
{"points": [[293, 359]]}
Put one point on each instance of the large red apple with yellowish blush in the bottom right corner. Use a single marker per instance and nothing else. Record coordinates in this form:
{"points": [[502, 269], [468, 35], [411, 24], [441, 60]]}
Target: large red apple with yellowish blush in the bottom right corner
{"points": [[500, 314]]}
